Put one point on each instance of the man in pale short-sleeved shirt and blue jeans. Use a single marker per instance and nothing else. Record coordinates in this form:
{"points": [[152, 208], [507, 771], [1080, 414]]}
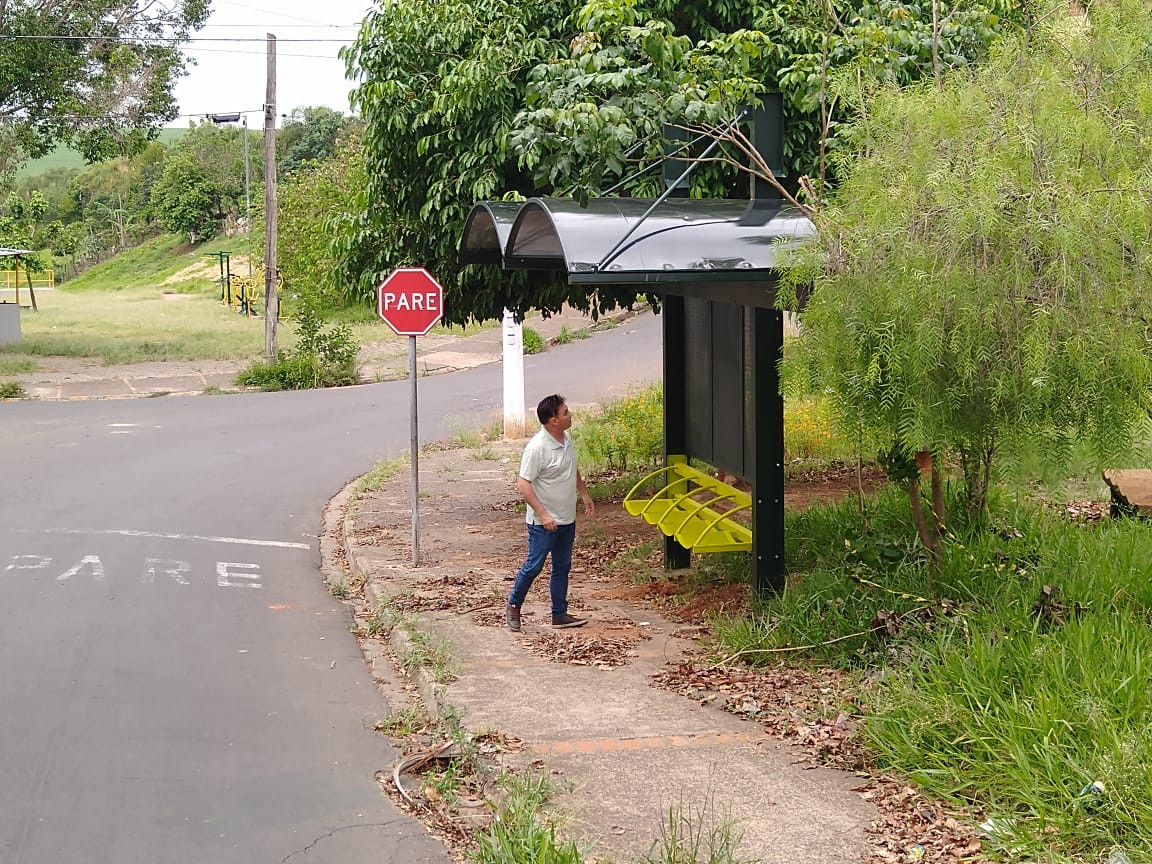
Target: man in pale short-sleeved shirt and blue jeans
{"points": [[549, 482]]}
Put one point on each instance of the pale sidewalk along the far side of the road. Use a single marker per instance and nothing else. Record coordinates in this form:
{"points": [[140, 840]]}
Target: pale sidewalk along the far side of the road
{"points": [[66, 378]]}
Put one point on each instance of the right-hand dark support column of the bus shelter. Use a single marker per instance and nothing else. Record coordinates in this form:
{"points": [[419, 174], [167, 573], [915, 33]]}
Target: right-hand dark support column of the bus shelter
{"points": [[768, 479]]}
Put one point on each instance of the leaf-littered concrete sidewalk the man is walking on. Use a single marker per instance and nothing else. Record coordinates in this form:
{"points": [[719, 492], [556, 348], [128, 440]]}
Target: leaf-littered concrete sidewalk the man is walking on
{"points": [[622, 751]]}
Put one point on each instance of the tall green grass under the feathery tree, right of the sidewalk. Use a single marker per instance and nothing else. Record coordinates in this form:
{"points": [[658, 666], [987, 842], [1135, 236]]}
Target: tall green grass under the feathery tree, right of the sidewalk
{"points": [[1014, 681]]}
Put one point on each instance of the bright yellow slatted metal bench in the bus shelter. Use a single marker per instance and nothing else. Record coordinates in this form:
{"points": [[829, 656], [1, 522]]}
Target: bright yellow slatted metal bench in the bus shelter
{"points": [[686, 509]]}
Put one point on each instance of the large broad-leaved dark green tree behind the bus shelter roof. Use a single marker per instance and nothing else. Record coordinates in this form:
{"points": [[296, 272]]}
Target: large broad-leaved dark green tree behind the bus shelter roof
{"points": [[472, 102]]}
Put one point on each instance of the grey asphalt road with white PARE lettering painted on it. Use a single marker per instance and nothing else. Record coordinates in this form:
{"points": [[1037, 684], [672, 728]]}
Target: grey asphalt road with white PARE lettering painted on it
{"points": [[177, 686]]}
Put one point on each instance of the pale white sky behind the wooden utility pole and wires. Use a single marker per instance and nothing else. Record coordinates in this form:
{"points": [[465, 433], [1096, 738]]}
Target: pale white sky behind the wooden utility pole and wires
{"points": [[232, 77]]}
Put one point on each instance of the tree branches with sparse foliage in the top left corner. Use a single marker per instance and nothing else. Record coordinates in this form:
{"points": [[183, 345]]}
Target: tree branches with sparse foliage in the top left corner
{"points": [[97, 74]]}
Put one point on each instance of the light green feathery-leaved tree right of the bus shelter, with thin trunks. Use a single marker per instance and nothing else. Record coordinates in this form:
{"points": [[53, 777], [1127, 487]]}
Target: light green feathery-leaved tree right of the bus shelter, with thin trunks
{"points": [[983, 277]]}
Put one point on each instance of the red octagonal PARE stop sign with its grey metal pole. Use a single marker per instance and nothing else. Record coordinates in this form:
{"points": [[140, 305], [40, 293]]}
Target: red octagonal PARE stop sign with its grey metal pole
{"points": [[411, 302]]}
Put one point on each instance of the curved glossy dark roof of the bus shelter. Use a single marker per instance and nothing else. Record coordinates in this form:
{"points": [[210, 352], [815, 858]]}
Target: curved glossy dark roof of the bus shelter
{"points": [[610, 240]]}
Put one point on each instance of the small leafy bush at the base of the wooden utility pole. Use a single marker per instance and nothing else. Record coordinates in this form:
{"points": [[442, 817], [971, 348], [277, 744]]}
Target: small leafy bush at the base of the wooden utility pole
{"points": [[321, 359]]}
